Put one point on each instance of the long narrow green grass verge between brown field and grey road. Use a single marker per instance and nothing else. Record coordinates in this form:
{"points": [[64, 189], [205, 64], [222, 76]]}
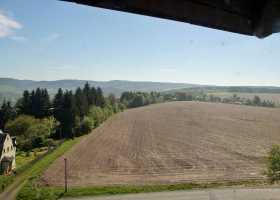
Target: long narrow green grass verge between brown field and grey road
{"points": [[34, 192]]}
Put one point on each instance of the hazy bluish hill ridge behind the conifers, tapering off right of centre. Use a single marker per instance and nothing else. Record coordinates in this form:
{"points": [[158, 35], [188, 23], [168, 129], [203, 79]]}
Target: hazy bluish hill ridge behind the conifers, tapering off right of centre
{"points": [[12, 89]]}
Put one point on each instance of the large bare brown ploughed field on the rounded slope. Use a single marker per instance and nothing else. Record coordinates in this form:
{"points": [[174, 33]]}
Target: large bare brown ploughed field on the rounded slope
{"points": [[173, 143]]}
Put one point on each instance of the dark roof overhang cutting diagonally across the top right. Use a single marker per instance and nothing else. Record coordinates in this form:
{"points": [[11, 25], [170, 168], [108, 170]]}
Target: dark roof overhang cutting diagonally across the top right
{"points": [[250, 17]]}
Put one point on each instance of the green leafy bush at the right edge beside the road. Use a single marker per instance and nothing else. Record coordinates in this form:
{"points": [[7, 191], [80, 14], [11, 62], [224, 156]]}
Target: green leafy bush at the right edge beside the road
{"points": [[273, 164]]}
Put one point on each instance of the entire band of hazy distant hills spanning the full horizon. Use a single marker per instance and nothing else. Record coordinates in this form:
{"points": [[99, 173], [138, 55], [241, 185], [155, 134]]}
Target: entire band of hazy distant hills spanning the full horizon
{"points": [[12, 89]]}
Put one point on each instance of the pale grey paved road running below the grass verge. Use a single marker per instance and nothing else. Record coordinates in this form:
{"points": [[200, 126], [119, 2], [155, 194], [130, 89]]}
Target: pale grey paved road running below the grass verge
{"points": [[216, 194]]}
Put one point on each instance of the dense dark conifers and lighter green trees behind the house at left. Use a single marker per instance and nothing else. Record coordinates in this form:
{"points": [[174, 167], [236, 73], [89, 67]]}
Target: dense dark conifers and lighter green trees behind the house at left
{"points": [[36, 119]]}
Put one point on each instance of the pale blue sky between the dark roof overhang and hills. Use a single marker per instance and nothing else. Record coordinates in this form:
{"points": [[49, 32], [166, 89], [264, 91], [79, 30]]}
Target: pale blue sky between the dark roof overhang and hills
{"points": [[52, 40]]}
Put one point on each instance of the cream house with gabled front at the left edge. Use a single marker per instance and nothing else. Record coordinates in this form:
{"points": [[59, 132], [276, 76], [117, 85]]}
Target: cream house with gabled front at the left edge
{"points": [[7, 153]]}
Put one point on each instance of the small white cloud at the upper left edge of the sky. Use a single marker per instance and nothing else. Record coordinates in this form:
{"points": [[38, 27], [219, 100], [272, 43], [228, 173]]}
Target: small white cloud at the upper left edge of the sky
{"points": [[7, 25]]}
